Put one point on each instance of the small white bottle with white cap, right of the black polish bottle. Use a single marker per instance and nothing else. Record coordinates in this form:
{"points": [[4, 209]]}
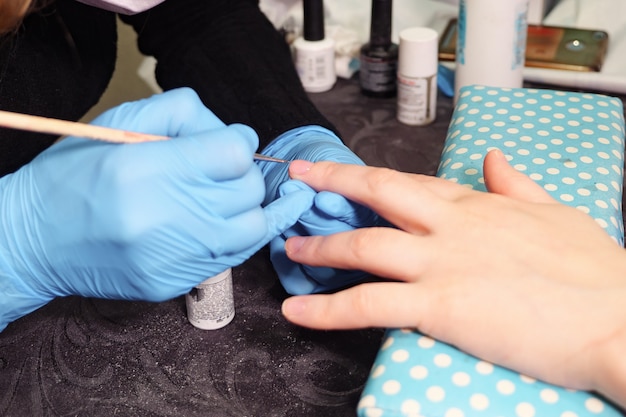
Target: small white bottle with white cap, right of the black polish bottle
{"points": [[417, 76]]}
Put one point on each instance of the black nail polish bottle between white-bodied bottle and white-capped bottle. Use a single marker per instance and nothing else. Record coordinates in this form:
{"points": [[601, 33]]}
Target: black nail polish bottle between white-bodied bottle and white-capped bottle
{"points": [[379, 57]]}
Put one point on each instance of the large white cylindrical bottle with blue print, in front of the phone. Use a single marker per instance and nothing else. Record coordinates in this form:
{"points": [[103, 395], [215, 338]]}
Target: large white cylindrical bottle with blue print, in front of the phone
{"points": [[491, 43]]}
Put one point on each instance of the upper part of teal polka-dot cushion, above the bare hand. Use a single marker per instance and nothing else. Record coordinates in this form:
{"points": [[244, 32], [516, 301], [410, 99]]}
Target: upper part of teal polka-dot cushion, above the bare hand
{"points": [[570, 143]]}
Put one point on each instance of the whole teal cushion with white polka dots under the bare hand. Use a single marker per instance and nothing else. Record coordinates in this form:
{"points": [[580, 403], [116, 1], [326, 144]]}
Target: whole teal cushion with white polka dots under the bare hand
{"points": [[573, 145]]}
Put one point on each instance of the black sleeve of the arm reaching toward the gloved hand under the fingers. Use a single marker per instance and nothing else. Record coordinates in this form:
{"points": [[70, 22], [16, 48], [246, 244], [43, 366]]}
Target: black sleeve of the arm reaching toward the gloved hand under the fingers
{"points": [[233, 57]]}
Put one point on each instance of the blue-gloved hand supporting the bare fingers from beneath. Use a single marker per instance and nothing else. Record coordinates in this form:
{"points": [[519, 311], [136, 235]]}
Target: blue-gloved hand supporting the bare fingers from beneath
{"points": [[331, 213]]}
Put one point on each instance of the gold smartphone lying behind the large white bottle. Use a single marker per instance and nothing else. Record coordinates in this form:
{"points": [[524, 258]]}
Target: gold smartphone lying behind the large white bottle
{"points": [[548, 47]]}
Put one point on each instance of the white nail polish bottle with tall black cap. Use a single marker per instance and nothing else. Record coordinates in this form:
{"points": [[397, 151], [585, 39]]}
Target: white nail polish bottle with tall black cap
{"points": [[315, 54]]}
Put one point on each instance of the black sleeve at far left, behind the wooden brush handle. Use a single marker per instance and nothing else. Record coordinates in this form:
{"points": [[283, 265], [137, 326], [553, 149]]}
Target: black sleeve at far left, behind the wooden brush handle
{"points": [[58, 64]]}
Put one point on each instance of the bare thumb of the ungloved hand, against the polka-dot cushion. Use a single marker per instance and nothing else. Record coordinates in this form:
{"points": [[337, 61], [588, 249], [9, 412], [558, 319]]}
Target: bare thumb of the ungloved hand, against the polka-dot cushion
{"points": [[502, 178]]}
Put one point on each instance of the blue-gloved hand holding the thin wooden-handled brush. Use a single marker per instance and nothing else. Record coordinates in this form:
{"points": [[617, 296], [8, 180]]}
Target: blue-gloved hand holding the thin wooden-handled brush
{"points": [[144, 221]]}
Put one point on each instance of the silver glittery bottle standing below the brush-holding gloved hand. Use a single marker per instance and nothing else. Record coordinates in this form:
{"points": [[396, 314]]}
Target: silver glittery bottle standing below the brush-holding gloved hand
{"points": [[211, 304]]}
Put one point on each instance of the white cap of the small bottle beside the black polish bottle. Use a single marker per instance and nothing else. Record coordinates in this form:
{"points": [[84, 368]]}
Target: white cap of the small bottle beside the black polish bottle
{"points": [[418, 49]]}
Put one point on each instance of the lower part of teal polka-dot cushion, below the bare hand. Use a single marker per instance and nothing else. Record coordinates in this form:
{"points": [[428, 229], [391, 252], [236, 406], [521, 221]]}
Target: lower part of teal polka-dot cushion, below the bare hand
{"points": [[416, 376]]}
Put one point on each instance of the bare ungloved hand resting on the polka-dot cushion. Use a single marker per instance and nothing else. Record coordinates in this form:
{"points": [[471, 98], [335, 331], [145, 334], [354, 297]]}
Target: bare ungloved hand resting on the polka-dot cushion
{"points": [[510, 276]]}
